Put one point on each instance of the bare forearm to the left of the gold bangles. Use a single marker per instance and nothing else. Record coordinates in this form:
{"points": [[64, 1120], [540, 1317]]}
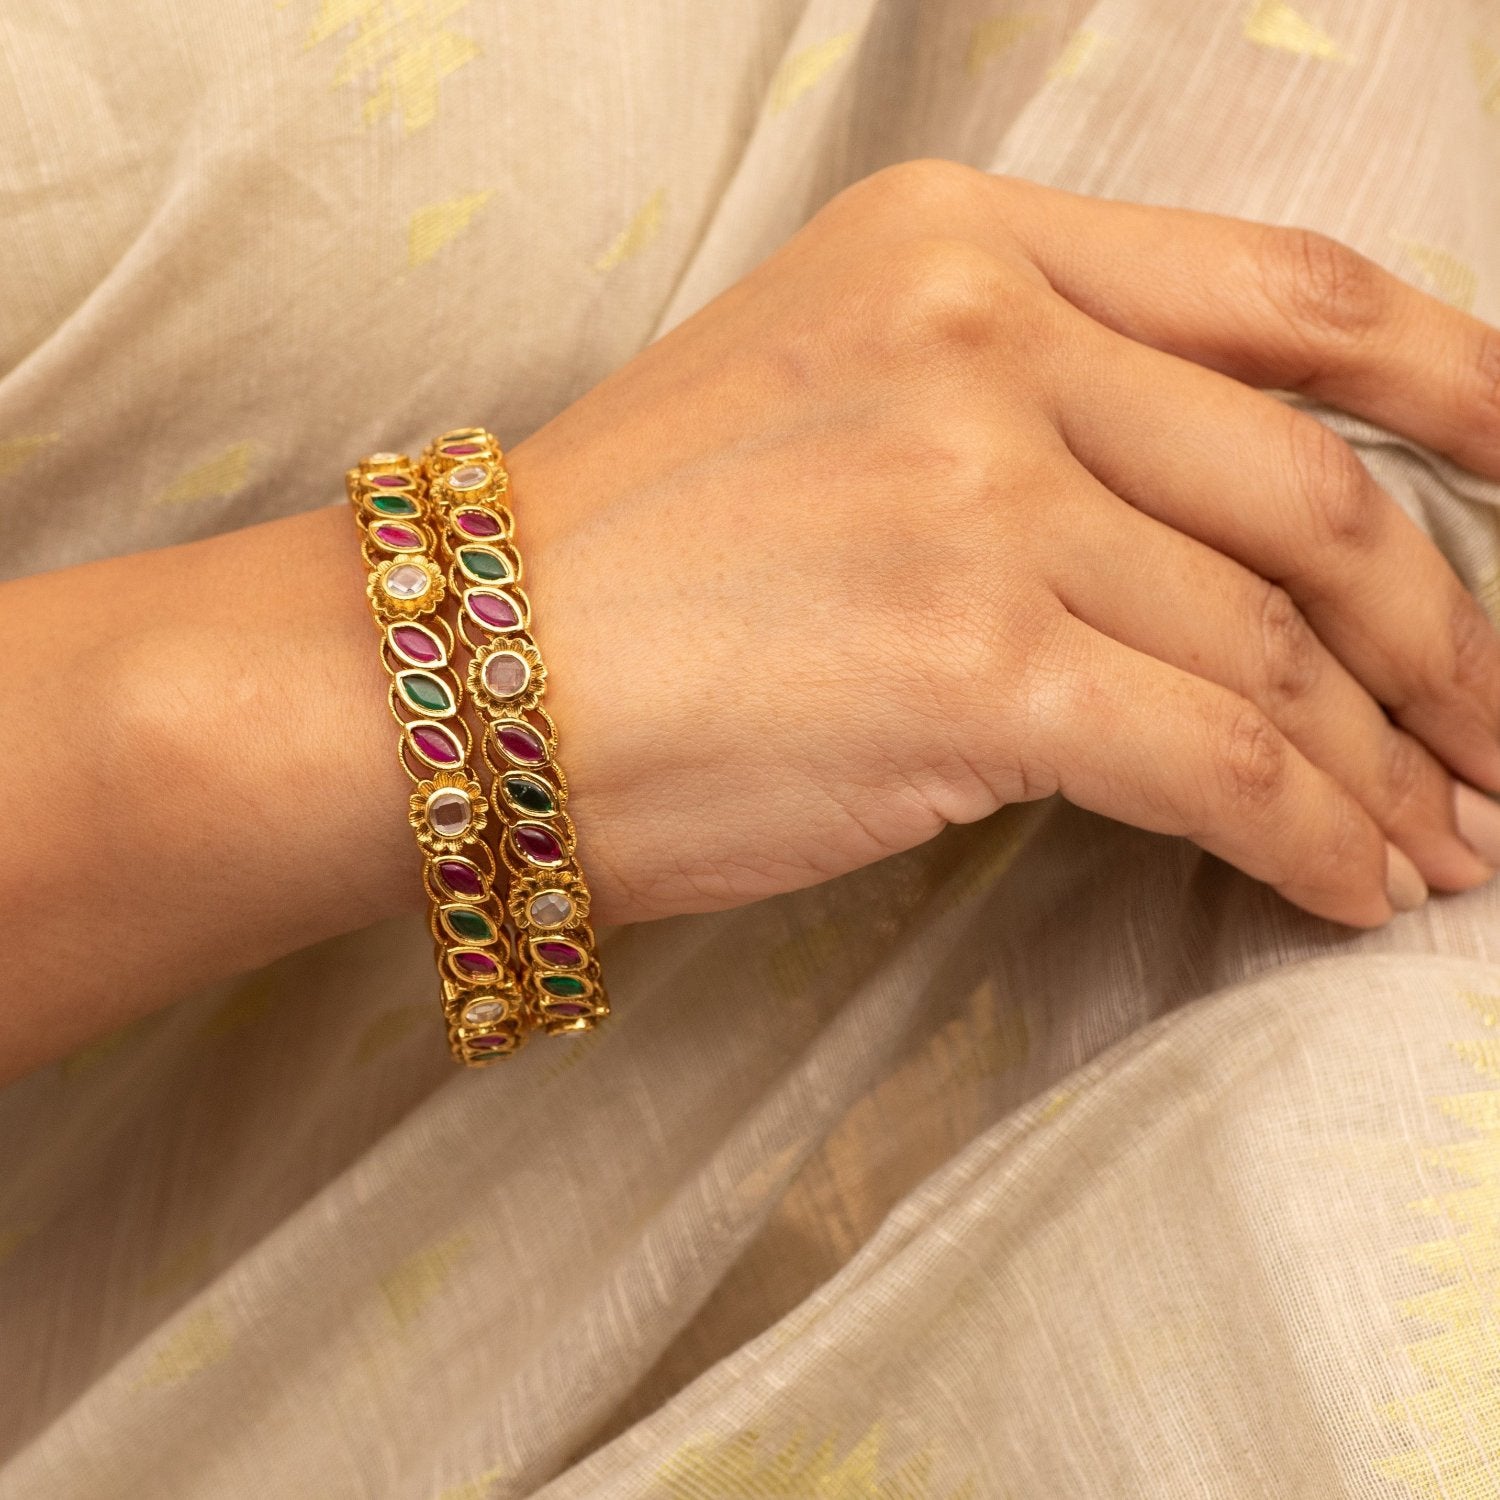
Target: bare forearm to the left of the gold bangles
{"points": [[202, 776]]}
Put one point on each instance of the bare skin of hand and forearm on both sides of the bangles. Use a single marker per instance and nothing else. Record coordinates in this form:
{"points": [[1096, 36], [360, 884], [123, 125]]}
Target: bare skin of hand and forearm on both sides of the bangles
{"points": [[964, 497]]}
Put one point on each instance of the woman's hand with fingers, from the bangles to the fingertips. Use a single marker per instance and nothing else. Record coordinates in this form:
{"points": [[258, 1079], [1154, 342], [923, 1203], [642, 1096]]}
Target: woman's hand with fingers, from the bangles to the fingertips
{"points": [[964, 499]]}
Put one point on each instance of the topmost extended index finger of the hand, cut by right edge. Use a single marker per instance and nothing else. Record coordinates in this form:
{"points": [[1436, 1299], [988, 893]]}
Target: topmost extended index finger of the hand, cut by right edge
{"points": [[1273, 307]]}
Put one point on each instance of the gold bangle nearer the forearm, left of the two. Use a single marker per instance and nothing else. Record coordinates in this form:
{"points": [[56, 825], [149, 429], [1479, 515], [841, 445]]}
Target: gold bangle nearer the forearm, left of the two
{"points": [[482, 1003]]}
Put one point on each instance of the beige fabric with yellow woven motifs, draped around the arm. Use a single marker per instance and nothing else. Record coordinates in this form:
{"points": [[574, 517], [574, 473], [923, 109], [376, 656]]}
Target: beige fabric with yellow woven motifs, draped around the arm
{"points": [[1051, 1160]]}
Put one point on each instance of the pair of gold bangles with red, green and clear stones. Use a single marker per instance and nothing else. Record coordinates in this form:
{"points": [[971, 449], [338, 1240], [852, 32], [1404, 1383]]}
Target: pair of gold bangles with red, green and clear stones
{"points": [[514, 947]]}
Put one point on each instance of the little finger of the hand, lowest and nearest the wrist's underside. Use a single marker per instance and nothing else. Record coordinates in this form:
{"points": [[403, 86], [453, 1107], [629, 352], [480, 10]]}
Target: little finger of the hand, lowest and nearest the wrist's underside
{"points": [[1144, 742]]}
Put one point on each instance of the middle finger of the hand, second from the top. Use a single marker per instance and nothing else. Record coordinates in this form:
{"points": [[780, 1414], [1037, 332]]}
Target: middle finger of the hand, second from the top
{"points": [[1273, 488]]}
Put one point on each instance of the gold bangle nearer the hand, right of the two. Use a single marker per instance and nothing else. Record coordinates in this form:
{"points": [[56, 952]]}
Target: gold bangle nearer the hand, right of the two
{"points": [[557, 955]]}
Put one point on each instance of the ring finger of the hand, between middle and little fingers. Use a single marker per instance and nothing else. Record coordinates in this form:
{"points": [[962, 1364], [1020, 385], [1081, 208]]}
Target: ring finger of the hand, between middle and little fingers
{"points": [[1175, 599]]}
